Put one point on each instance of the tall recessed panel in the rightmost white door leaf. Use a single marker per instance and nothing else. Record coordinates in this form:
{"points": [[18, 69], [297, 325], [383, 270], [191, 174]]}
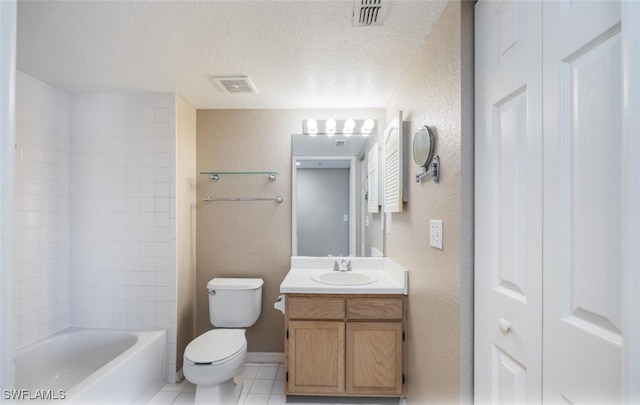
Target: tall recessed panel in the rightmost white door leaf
{"points": [[592, 268]]}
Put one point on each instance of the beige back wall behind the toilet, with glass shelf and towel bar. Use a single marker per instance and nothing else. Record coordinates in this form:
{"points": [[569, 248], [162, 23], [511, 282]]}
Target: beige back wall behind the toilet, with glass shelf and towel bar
{"points": [[249, 239]]}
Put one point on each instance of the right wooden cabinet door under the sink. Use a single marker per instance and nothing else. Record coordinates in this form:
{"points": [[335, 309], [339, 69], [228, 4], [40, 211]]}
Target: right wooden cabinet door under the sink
{"points": [[374, 358]]}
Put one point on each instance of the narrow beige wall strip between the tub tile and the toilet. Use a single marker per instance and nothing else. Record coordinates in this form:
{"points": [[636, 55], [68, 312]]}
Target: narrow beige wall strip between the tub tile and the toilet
{"points": [[185, 223]]}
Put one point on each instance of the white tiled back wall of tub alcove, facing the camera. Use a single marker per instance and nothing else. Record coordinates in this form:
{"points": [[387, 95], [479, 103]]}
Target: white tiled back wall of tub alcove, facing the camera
{"points": [[123, 217]]}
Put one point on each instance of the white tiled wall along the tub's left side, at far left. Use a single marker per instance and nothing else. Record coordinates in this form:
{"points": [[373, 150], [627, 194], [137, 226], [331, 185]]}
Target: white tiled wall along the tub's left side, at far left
{"points": [[41, 259]]}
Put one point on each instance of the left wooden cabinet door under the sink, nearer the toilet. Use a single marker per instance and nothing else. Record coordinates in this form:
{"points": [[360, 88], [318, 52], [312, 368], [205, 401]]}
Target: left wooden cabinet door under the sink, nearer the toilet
{"points": [[316, 357]]}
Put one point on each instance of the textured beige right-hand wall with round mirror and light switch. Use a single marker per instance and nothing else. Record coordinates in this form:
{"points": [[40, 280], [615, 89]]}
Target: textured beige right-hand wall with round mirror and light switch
{"points": [[437, 91]]}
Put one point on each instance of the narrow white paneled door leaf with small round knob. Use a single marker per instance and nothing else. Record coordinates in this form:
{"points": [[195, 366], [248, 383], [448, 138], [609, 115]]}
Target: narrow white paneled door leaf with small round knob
{"points": [[508, 202]]}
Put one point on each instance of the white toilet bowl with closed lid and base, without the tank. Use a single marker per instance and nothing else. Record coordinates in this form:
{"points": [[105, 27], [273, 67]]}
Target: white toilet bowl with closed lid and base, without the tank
{"points": [[212, 360]]}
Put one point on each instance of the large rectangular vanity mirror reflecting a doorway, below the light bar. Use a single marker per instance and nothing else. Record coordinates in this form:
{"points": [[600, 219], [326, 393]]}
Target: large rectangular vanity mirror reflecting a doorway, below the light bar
{"points": [[329, 205]]}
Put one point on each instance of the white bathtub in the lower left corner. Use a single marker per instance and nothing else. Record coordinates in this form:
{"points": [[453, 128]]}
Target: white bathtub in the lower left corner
{"points": [[86, 366]]}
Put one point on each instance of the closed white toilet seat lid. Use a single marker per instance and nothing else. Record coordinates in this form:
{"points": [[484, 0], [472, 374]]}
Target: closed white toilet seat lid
{"points": [[216, 346]]}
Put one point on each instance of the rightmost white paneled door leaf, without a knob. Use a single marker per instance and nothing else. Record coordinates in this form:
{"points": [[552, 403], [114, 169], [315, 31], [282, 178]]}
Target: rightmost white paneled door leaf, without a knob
{"points": [[583, 202]]}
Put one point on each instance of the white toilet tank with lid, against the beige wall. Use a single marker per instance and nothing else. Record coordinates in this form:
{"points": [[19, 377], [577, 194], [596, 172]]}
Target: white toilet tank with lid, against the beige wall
{"points": [[234, 302]]}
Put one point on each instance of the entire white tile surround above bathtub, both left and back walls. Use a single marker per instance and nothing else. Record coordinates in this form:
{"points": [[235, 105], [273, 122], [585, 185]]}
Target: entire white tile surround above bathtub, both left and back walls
{"points": [[95, 212]]}
